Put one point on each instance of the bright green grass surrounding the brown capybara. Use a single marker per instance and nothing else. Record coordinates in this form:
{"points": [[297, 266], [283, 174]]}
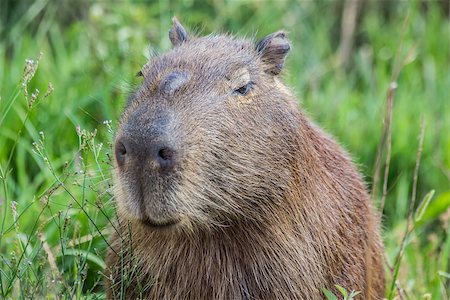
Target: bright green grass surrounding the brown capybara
{"points": [[56, 198]]}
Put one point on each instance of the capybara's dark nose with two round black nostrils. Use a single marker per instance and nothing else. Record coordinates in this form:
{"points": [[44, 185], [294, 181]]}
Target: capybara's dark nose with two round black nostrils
{"points": [[159, 156]]}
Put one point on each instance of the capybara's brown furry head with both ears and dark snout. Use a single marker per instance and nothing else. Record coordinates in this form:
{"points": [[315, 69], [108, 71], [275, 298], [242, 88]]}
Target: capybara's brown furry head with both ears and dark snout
{"points": [[210, 137]]}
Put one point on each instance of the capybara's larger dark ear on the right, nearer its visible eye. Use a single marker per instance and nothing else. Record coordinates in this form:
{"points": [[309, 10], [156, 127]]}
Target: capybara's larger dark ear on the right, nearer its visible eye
{"points": [[273, 50]]}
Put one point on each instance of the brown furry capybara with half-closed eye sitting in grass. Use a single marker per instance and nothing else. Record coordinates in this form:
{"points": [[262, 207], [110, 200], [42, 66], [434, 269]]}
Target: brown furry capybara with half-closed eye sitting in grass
{"points": [[227, 190]]}
